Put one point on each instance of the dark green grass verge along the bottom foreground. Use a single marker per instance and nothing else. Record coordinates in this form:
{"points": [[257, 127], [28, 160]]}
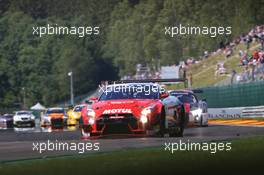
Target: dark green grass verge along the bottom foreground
{"points": [[246, 156]]}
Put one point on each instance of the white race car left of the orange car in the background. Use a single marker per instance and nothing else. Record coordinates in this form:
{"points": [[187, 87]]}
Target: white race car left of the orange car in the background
{"points": [[24, 118]]}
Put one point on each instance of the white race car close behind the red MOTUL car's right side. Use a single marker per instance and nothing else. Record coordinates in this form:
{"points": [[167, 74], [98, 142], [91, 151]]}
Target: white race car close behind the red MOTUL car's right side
{"points": [[196, 109]]}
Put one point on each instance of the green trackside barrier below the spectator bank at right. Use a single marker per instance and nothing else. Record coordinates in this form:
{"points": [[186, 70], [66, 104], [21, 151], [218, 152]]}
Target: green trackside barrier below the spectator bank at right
{"points": [[247, 94]]}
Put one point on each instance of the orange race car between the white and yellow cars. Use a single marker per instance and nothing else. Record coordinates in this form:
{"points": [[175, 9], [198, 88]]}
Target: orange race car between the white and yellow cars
{"points": [[54, 117]]}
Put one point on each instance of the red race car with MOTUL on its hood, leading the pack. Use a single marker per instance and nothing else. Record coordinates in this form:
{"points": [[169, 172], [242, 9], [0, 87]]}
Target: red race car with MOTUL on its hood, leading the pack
{"points": [[136, 109]]}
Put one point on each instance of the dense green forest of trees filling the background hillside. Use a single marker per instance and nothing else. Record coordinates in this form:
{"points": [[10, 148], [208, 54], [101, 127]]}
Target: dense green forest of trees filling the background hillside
{"points": [[131, 32]]}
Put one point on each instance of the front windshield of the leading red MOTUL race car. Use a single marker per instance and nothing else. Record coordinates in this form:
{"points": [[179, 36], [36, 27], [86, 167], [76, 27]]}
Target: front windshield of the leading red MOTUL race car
{"points": [[131, 92]]}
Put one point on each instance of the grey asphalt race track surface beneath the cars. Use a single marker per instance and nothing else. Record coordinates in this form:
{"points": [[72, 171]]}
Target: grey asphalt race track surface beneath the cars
{"points": [[17, 143]]}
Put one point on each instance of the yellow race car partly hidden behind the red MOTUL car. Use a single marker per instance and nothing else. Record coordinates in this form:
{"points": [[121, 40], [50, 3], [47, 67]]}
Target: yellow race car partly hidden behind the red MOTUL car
{"points": [[75, 114]]}
